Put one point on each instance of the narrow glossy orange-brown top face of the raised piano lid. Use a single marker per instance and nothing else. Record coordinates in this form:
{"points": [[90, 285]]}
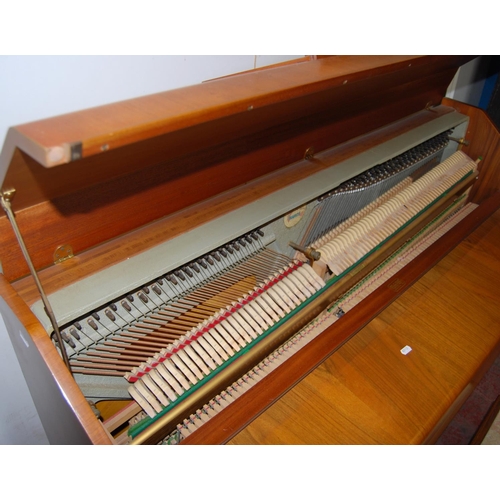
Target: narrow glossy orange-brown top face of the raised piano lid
{"points": [[53, 141]]}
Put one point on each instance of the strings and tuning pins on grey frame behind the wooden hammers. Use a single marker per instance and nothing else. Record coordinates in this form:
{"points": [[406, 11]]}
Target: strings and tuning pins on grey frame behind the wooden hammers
{"points": [[115, 339]]}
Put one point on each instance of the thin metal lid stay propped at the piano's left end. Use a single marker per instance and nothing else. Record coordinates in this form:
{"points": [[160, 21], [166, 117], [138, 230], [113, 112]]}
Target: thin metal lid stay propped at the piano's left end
{"points": [[5, 201]]}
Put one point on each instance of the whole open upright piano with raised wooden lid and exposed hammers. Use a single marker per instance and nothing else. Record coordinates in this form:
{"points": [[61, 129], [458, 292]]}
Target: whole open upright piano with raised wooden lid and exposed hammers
{"points": [[194, 254]]}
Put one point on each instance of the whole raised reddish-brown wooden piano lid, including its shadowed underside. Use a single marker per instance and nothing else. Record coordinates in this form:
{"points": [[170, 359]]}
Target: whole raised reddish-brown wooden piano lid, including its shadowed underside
{"points": [[87, 177]]}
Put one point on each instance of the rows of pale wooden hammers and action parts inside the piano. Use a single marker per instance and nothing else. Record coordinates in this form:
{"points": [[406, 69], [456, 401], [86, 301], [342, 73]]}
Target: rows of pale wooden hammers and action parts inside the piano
{"points": [[176, 373]]}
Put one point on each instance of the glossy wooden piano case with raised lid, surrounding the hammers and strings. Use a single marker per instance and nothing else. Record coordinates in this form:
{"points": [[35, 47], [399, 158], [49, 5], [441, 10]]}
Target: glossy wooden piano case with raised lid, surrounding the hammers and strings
{"points": [[112, 200]]}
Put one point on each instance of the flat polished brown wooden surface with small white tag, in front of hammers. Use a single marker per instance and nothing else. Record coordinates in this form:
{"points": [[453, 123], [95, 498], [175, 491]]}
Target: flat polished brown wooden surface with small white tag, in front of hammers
{"points": [[369, 393]]}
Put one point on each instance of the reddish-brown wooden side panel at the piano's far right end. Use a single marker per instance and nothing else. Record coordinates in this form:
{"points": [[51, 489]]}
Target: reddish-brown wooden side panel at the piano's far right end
{"points": [[484, 139]]}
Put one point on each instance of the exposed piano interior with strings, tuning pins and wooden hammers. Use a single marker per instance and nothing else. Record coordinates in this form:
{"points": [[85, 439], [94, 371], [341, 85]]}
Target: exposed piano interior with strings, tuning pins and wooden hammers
{"points": [[180, 338]]}
